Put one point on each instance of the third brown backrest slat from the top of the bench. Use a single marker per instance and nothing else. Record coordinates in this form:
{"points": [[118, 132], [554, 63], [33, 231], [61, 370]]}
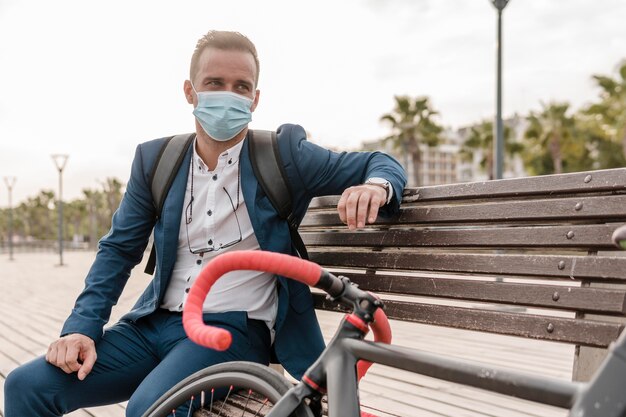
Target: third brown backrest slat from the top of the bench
{"points": [[572, 236]]}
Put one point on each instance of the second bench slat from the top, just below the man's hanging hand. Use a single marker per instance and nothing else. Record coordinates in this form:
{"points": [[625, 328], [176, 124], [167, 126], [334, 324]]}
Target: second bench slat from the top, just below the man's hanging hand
{"points": [[581, 208]]}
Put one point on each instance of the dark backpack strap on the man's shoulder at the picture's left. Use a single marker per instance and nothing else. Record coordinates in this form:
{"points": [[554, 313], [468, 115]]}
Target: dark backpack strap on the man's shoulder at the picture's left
{"points": [[164, 171]]}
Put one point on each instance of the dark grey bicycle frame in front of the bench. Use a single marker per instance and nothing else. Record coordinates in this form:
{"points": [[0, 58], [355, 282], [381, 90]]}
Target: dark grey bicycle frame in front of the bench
{"points": [[604, 396]]}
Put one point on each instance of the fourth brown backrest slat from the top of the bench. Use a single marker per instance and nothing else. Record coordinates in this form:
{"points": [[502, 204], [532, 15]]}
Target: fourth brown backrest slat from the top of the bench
{"points": [[565, 266]]}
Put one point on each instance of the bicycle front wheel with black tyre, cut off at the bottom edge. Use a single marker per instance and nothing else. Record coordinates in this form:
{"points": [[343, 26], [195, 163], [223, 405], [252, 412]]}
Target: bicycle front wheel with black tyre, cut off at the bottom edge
{"points": [[244, 389]]}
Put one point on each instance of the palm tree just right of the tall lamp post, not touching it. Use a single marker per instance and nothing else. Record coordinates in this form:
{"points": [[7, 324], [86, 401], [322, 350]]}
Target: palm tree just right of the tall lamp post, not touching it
{"points": [[549, 131]]}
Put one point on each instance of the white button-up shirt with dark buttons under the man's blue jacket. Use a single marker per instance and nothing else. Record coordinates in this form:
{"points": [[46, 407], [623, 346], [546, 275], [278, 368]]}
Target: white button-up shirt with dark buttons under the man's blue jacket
{"points": [[211, 222]]}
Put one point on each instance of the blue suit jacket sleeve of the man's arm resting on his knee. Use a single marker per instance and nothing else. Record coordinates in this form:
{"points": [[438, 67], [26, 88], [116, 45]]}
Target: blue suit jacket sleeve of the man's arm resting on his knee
{"points": [[119, 251]]}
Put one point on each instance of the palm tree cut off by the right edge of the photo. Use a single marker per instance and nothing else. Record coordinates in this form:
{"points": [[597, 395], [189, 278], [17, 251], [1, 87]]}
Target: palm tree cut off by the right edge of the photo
{"points": [[611, 110]]}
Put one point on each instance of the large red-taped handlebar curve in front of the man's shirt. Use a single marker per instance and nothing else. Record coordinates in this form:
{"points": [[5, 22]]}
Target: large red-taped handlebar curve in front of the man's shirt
{"points": [[275, 263]]}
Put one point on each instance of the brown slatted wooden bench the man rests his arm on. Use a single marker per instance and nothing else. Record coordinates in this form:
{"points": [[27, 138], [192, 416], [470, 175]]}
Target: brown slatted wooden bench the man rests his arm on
{"points": [[529, 257]]}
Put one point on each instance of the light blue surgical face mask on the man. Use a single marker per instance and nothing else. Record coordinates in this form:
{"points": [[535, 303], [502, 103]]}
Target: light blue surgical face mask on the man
{"points": [[222, 114]]}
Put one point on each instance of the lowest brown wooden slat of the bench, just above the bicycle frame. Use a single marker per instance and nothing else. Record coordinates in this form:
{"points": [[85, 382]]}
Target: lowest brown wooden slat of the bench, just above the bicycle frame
{"points": [[557, 329]]}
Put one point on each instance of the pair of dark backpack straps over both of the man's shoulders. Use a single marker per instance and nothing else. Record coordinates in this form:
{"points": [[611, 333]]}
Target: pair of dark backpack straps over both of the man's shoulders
{"points": [[266, 164]]}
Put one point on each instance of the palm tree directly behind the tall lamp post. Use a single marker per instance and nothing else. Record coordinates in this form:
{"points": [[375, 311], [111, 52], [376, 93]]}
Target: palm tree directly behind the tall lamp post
{"points": [[480, 138]]}
